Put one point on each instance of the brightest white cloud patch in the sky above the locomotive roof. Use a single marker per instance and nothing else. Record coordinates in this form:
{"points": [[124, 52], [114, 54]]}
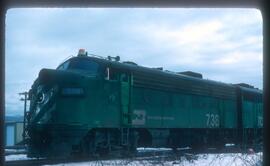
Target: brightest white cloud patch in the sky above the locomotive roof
{"points": [[191, 34]]}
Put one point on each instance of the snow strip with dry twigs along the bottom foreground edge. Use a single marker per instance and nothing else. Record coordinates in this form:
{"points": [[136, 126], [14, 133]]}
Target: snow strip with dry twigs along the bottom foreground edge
{"points": [[228, 159]]}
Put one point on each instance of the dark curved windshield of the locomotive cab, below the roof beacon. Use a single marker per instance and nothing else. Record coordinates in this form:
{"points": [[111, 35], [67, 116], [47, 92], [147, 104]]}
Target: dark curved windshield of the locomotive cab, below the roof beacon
{"points": [[81, 64]]}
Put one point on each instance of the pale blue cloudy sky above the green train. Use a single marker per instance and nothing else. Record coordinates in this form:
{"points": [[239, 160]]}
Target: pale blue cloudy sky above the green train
{"points": [[222, 44]]}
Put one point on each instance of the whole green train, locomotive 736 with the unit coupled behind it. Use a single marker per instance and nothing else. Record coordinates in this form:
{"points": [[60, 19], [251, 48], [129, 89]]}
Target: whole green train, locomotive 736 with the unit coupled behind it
{"points": [[95, 105]]}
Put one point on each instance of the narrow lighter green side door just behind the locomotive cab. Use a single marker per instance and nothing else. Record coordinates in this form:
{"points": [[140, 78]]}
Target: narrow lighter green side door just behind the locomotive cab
{"points": [[125, 99]]}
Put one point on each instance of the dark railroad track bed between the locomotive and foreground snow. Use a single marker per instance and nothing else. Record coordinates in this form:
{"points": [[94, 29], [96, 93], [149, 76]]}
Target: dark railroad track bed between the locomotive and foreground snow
{"points": [[165, 155]]}
